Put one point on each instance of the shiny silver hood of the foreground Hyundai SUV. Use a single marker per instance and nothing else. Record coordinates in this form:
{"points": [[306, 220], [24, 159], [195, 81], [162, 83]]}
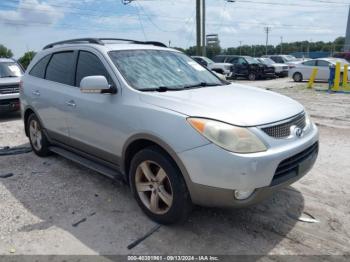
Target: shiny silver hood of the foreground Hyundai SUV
{"points": [[235, 104]]}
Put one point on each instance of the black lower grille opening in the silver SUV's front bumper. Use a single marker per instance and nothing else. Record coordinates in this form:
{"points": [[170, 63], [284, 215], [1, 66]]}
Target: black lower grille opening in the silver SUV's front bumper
{"points": [[288, 168]]}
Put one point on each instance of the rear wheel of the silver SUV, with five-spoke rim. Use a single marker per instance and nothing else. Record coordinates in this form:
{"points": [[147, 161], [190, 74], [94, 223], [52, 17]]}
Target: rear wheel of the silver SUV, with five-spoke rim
{"points": [[37, 138]]}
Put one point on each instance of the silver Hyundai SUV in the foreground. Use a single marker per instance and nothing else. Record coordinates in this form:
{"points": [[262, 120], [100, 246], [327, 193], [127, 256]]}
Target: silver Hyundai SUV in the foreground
{"points": [[170, 128]]}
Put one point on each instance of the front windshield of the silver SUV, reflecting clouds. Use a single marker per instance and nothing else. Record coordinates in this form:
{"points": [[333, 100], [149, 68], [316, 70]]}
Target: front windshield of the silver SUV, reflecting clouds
{"points": [[152, 69]]}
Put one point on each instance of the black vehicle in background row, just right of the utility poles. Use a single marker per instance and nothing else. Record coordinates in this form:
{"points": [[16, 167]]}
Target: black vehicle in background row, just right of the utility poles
{"points": [[246, 66]]}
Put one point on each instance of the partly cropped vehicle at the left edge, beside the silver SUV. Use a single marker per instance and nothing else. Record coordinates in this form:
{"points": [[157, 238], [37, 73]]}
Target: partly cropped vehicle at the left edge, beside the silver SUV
{"points": [[10, 74]]}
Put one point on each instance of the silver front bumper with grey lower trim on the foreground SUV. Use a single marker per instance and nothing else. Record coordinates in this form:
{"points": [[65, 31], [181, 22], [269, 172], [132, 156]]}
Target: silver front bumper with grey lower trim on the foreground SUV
{"points": [[215, 173]]}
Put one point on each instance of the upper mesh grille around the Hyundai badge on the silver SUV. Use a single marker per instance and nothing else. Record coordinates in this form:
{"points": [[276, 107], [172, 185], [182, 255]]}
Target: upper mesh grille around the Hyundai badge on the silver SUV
{"points": [[283, 130]]}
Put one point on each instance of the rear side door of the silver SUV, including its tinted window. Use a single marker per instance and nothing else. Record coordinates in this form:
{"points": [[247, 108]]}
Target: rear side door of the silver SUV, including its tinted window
{"points": [[51, 92]]}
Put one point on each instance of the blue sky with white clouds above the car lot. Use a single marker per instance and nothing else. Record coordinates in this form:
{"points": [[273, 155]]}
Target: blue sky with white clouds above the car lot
{"points": [[31, 24]]}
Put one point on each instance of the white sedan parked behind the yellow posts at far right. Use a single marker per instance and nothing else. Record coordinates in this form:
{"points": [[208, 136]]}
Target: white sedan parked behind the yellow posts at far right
{"points": [[303, 70]]}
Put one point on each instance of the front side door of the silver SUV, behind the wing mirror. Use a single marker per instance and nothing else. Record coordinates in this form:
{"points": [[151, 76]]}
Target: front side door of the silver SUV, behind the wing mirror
{"points": [[93, 117]]}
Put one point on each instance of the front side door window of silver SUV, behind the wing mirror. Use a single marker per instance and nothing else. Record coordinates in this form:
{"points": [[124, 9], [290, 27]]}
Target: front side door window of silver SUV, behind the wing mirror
{"points": [[89, 65]]}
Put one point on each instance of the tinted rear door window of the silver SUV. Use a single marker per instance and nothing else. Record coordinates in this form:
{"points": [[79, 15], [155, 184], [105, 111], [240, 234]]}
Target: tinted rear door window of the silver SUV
{"points": [[61, 68]]}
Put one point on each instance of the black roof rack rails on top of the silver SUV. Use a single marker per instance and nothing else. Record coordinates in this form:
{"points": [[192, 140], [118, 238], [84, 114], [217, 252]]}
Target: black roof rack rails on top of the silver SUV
{"points": [[99, 41]]}
